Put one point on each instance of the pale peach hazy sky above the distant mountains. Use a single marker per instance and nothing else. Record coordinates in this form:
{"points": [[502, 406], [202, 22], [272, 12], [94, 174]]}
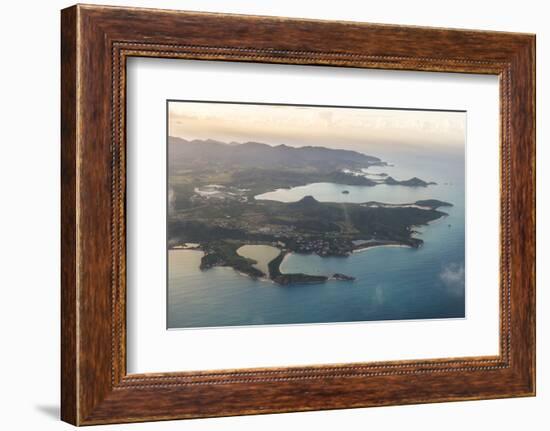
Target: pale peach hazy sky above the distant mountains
{"points": [[370, 131]]}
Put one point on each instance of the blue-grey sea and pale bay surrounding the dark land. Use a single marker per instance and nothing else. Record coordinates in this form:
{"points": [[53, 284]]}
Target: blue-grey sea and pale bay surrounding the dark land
{"points": [[391, 283]]}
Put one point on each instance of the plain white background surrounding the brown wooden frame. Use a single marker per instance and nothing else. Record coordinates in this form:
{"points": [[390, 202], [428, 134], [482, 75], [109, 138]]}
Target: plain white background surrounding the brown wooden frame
{"points": [[29, 215]]}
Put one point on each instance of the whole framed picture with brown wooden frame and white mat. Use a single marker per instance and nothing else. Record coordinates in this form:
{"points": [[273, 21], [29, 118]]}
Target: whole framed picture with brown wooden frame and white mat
{"points": [[265, 215]]}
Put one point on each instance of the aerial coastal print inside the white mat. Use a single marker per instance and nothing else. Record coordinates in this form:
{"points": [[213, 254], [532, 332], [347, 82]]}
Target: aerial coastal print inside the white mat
{"points": [[283, 214]]}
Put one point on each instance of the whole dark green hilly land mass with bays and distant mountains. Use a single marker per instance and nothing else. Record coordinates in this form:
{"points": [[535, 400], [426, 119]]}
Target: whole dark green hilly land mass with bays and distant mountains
{"points": [[212, 205]]}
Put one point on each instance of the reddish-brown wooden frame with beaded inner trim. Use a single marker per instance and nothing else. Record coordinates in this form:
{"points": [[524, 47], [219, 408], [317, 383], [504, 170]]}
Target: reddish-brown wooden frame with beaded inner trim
{"points": [[96, 41]]}
